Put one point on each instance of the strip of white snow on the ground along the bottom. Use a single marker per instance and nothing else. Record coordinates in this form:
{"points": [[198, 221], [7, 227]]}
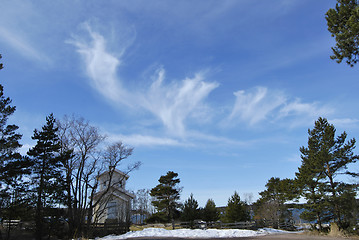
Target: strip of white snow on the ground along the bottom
{"points": [[197, 233]]}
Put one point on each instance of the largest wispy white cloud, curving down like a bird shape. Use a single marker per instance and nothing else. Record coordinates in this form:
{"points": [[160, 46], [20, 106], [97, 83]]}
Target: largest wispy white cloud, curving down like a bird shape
{"points": [[172, 103]]}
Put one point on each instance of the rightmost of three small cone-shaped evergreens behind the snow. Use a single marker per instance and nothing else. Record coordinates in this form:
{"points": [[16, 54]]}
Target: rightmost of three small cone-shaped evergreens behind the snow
{"points": [[236, 210]]}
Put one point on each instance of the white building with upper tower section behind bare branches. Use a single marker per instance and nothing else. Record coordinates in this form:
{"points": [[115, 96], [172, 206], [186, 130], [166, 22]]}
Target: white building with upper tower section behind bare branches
{"points": [[115, 203]]}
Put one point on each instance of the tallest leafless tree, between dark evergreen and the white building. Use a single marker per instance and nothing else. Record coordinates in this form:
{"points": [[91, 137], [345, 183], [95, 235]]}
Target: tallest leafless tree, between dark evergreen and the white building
{"points": [[80, 140]]}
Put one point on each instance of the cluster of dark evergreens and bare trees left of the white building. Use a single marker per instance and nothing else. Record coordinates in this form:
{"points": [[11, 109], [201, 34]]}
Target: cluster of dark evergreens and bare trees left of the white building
{"points": [[53, 186]]}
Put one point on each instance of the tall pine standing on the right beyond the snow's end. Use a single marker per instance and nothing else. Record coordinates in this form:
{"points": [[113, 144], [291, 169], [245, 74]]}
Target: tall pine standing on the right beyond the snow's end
{"points": [[323, 159]]}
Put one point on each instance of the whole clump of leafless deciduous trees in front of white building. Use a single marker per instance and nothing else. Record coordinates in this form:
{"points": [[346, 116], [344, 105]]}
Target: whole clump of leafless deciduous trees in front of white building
{"points": [[84, 143]]}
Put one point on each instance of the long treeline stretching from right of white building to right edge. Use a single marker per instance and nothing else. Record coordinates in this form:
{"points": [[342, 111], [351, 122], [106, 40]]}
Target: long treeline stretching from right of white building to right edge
{"points": [[318, 189]]}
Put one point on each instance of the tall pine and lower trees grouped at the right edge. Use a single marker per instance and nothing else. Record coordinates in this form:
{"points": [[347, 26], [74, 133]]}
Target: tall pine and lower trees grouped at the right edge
{"points": [[320, 182]]}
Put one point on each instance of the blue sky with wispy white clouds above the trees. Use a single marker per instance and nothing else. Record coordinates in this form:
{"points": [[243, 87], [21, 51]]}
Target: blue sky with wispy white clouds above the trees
{"points": [[221, 92]]}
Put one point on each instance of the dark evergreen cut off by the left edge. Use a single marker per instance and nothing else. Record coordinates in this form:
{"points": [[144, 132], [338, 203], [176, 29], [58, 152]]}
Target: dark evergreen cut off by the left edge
{"points": [[12, 165]]}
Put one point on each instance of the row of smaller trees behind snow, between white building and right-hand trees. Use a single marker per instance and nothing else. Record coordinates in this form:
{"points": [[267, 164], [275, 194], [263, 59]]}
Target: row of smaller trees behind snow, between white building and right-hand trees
{"points": [[162, 204]]}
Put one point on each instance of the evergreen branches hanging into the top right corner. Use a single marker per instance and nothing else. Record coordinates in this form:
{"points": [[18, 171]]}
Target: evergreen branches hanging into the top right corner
{"points": [[343, 24]]}
